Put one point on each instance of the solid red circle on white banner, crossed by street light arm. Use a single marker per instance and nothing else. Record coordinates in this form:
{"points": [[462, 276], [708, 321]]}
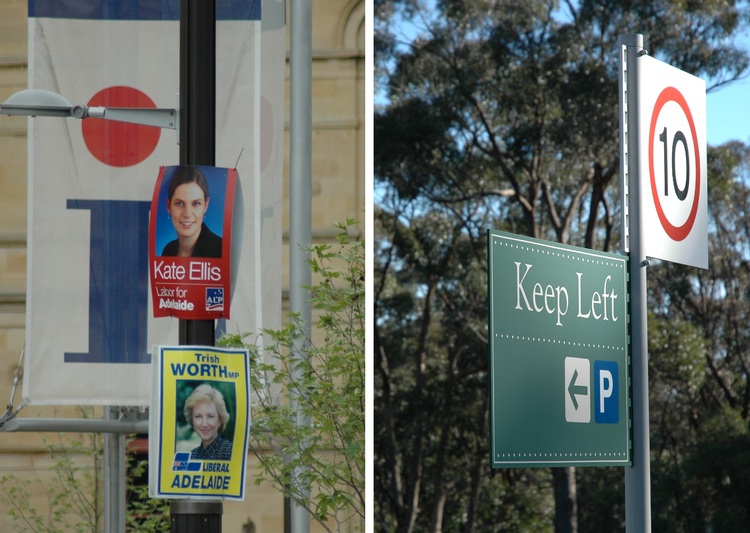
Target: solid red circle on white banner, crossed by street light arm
{"points": [[119, 144]]}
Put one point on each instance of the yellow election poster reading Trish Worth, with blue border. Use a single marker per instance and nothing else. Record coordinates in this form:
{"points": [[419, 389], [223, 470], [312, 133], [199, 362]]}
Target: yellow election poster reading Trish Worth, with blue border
{"points": [[199, 422]]}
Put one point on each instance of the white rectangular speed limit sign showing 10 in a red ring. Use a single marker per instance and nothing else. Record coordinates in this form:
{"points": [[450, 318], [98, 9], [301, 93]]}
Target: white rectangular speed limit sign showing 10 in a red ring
{"points": [[672, 163]]}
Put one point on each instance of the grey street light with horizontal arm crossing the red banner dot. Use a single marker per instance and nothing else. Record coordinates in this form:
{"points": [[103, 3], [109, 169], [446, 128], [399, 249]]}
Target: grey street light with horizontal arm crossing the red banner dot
{"points": [[41, 103]]}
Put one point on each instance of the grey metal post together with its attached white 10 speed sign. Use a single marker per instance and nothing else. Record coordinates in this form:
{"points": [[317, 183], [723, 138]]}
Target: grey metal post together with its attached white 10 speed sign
{"points": [[664, 184]]}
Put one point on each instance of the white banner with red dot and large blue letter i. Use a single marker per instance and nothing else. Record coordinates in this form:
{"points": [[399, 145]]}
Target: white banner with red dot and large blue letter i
{"points": [[90, 329]]}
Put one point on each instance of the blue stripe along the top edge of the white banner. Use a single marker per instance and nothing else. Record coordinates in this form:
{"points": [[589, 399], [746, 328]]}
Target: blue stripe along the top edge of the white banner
{"points": [[137, 9]]}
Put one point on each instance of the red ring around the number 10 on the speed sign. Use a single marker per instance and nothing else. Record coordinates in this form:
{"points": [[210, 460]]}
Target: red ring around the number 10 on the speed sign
{"points": [[678, 233]]}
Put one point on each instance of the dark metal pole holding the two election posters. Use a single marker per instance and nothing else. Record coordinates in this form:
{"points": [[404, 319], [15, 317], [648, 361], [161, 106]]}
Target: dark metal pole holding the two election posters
{"points": [[197, 147]]}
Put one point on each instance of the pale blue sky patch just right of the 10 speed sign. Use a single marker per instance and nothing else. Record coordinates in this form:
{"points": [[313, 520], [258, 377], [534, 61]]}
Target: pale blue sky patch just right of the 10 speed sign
{"points": [[728, 113]]}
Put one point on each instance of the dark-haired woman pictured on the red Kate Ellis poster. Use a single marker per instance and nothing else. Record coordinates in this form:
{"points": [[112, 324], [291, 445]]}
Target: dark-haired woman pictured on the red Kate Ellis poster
{"points": [[187, 203]]}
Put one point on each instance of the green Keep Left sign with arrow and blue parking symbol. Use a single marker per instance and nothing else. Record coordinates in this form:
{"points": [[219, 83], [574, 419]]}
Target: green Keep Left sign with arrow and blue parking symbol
{"points": [[559, 354]]}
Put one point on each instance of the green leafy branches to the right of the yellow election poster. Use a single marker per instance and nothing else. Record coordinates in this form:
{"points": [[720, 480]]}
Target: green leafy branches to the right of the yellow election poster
{"points": [[319, 464]]}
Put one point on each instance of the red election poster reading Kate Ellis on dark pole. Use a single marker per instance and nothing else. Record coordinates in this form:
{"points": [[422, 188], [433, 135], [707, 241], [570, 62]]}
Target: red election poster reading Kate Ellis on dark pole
{"points": [[190, 241]]}
